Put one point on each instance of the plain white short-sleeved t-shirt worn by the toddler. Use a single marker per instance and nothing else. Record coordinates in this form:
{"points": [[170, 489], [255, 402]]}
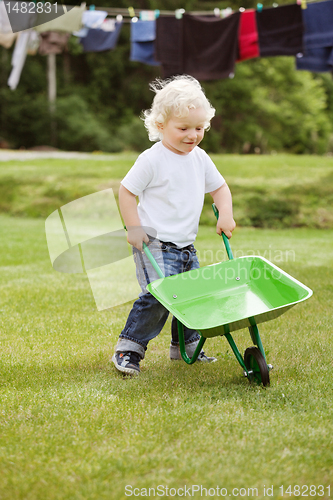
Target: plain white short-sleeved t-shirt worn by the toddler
{"points": [[171, 190]]}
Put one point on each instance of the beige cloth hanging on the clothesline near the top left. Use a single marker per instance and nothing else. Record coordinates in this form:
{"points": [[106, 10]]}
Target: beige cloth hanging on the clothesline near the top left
{"points": [[69, 22]]}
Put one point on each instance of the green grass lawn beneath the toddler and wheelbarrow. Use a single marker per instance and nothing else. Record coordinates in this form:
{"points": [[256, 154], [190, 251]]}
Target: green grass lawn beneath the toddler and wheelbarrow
{"points": [[73, 428]]}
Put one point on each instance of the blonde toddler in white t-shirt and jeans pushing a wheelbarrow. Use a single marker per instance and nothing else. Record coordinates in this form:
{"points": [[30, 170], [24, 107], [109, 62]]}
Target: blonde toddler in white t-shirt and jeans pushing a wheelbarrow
{"points": [[170, 179]]}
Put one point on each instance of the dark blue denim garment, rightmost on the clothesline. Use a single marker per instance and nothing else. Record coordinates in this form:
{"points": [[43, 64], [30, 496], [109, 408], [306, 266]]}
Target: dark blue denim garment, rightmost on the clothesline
{"points": [[318, 38]]}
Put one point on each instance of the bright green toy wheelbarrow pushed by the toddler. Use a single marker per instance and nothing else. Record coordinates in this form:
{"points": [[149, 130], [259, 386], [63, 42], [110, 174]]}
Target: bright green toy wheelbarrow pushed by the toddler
{"points": [[218, 299]]}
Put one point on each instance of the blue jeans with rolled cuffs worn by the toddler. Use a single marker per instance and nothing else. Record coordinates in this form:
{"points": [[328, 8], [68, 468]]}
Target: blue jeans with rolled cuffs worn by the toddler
{"points": [[148, 316]]}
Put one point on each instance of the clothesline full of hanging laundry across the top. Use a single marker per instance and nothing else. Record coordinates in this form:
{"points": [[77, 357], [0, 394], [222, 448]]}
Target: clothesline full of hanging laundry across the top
{"points": [[206, 47]]}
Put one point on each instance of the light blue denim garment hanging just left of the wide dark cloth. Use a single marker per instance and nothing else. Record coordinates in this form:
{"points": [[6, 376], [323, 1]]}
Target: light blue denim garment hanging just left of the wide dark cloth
{"points": [[143, 34]]}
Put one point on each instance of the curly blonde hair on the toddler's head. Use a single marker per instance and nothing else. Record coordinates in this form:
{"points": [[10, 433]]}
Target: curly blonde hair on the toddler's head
{"points": [[175, 96]]}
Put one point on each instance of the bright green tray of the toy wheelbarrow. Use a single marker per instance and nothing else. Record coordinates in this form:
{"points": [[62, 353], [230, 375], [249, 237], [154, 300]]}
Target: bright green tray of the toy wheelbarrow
{"points": [[230, 295]]}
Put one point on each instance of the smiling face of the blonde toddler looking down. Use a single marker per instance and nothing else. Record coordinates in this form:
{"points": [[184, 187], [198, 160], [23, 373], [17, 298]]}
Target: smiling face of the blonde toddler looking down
{"points": [[181, 135]]}
